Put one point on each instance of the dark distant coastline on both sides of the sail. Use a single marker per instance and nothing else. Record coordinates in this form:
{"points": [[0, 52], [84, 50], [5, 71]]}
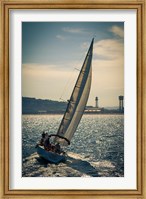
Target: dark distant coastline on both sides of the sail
{"points": [[41, 107]]}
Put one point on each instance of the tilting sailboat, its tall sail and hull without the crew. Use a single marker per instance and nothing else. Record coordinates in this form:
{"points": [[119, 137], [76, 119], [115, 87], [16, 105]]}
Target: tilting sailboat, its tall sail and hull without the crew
{"points": [[74, 111]]}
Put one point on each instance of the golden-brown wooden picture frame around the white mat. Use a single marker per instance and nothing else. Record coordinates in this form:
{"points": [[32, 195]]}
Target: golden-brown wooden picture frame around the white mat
{"points": [[6, 6]]}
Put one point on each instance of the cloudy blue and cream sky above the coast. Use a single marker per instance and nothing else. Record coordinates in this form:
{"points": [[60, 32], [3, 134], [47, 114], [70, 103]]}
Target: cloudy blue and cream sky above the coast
{"points": [[53, 54]]}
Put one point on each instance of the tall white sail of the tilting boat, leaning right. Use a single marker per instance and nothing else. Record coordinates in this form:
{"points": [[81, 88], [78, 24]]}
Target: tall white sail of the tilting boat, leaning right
{"points": [[78, 100]]}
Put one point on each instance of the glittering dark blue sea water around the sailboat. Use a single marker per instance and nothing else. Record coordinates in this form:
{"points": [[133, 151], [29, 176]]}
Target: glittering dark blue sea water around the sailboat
{"points": [[96, 149]]}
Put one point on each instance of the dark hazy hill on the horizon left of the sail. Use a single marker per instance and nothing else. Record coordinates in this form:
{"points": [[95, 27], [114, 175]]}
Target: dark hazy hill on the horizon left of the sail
{"points": [[39, 106]]}
